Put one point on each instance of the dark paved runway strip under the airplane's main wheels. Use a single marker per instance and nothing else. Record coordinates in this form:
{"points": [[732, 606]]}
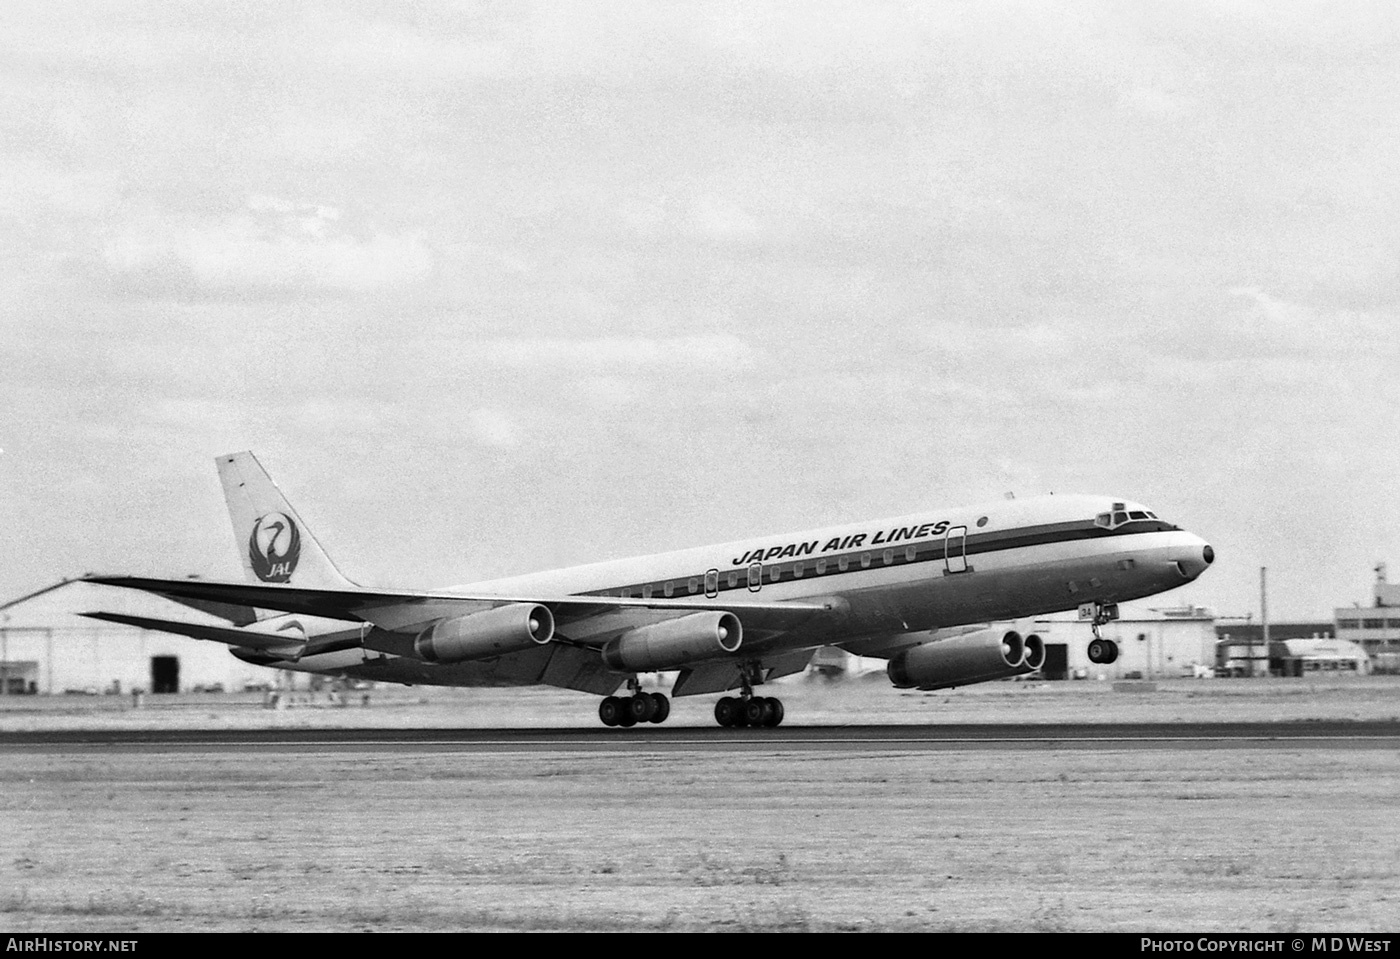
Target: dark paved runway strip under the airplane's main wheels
{"points": [[856, 738]]}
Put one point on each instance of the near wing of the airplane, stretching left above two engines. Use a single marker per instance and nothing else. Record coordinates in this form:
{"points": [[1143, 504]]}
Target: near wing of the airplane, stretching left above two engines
{"points": [[583, 618]]}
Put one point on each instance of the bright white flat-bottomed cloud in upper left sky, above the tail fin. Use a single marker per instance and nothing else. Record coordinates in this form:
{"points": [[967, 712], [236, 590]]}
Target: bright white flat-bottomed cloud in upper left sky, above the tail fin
{"points": [[271, 246]]}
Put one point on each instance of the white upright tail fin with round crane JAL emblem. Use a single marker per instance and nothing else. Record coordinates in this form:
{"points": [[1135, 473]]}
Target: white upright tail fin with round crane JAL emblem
{"points": [[272, 541]]}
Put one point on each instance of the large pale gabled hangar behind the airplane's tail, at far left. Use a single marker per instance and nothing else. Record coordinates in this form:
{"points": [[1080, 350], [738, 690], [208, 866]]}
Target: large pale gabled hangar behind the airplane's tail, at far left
{"points": [[48, 647]]}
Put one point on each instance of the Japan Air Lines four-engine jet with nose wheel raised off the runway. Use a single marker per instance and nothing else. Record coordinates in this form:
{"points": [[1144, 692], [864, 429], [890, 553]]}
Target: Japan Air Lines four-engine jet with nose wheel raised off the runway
{"points": [[724, 618]]}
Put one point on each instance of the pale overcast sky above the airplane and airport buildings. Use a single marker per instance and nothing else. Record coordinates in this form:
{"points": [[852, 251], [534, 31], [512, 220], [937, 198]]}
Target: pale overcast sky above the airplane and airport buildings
{"points": [[498, 288]]}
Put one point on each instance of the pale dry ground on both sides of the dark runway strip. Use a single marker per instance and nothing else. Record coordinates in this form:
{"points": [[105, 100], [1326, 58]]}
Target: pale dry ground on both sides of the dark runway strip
{"points": [[1161, 839]]}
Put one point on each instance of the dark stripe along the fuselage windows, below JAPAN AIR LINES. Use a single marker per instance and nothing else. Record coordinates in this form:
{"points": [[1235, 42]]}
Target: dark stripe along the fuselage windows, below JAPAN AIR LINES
{"points": [[925, 552]]}
